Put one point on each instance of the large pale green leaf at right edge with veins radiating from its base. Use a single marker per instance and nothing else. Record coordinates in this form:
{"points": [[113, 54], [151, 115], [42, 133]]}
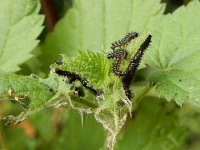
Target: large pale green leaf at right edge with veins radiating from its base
{"points": [[174, 55]]}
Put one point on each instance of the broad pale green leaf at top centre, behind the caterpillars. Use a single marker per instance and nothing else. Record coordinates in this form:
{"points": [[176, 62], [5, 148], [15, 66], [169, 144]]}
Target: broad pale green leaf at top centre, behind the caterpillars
{"points": [[111, 20]]}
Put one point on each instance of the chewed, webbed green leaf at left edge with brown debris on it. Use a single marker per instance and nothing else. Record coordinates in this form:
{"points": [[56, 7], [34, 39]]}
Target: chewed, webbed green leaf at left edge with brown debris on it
{"points": [[32, 93]]}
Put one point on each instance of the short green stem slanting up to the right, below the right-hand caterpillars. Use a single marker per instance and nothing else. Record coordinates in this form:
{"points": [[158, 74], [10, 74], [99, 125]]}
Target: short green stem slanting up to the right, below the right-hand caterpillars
{"points": [[139, 97]]}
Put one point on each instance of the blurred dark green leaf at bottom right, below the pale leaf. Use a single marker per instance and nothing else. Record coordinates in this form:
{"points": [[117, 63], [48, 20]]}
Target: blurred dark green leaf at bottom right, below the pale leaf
{"points": [[155, 127]]}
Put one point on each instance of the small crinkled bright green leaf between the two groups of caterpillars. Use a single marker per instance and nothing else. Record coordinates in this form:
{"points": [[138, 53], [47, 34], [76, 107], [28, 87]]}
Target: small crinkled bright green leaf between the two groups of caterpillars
{"points": [[90, 65]]}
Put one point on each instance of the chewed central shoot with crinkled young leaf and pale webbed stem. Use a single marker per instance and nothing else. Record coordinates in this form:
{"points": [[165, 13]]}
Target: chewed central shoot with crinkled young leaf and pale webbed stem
{"points": [[96, 67]]}
